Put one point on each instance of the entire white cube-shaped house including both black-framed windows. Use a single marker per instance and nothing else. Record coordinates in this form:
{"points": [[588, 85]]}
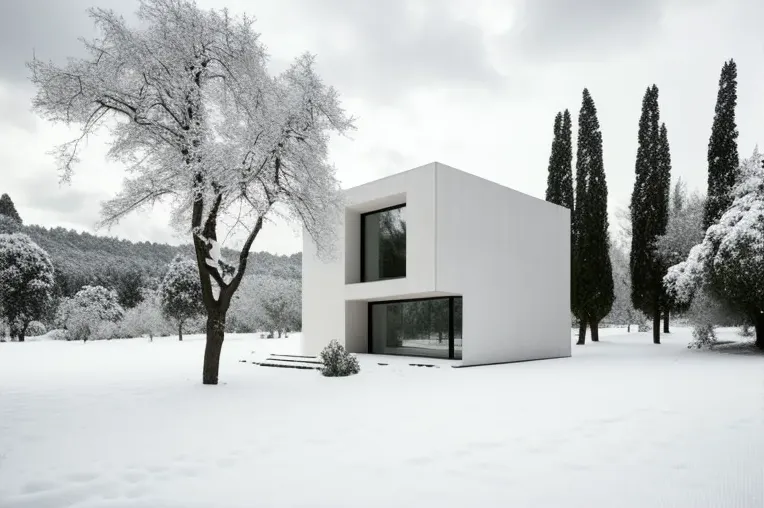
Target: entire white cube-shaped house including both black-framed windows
{"points": [[440, 263]]}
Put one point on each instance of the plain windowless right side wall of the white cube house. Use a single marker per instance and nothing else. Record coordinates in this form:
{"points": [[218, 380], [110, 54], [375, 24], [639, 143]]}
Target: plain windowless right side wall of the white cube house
{"points": [[509, 255]]}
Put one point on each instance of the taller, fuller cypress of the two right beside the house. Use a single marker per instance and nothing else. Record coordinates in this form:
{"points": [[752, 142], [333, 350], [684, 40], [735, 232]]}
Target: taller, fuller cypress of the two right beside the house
{"points": [[592, 273]]}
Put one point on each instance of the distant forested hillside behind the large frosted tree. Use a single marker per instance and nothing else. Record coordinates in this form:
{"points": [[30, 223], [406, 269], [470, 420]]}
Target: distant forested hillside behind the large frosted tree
{"points": [[81, 258]]}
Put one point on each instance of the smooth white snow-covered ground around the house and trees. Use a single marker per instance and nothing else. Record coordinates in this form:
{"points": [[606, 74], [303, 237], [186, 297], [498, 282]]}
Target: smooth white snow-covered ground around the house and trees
{"points": [[624, 423]]}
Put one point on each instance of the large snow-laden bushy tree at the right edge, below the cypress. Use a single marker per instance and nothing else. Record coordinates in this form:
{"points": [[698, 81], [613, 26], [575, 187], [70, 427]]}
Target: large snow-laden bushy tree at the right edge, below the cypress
{"points": [[730, 260]]}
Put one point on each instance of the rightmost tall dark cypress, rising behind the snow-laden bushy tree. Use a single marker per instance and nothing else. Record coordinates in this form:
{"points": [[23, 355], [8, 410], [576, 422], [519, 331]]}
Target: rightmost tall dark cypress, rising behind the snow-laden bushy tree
{"points": [[722, 148]]}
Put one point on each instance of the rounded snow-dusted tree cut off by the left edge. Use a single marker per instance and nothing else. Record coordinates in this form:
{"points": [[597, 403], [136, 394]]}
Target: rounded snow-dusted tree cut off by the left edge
{"points": [[26, 282]]}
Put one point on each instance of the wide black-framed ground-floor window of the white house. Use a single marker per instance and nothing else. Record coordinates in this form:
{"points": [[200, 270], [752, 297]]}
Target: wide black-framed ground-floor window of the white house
{"points": [[426, 327]]}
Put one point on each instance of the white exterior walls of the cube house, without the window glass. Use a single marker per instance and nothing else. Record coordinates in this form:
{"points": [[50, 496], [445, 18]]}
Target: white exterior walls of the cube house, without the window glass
{"points": [[505, 252]]}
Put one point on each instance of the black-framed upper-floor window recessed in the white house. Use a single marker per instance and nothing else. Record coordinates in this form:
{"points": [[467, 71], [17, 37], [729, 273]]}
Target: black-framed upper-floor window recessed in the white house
{"points": [[383, 244]]}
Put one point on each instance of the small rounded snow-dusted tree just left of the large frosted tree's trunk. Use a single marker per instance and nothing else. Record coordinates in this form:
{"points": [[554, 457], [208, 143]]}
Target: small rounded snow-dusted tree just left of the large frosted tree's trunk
{"points": [[181, 293]]}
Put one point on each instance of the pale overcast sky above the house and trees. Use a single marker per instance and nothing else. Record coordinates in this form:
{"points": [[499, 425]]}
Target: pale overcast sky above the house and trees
{"points": [[474, 84]]}
